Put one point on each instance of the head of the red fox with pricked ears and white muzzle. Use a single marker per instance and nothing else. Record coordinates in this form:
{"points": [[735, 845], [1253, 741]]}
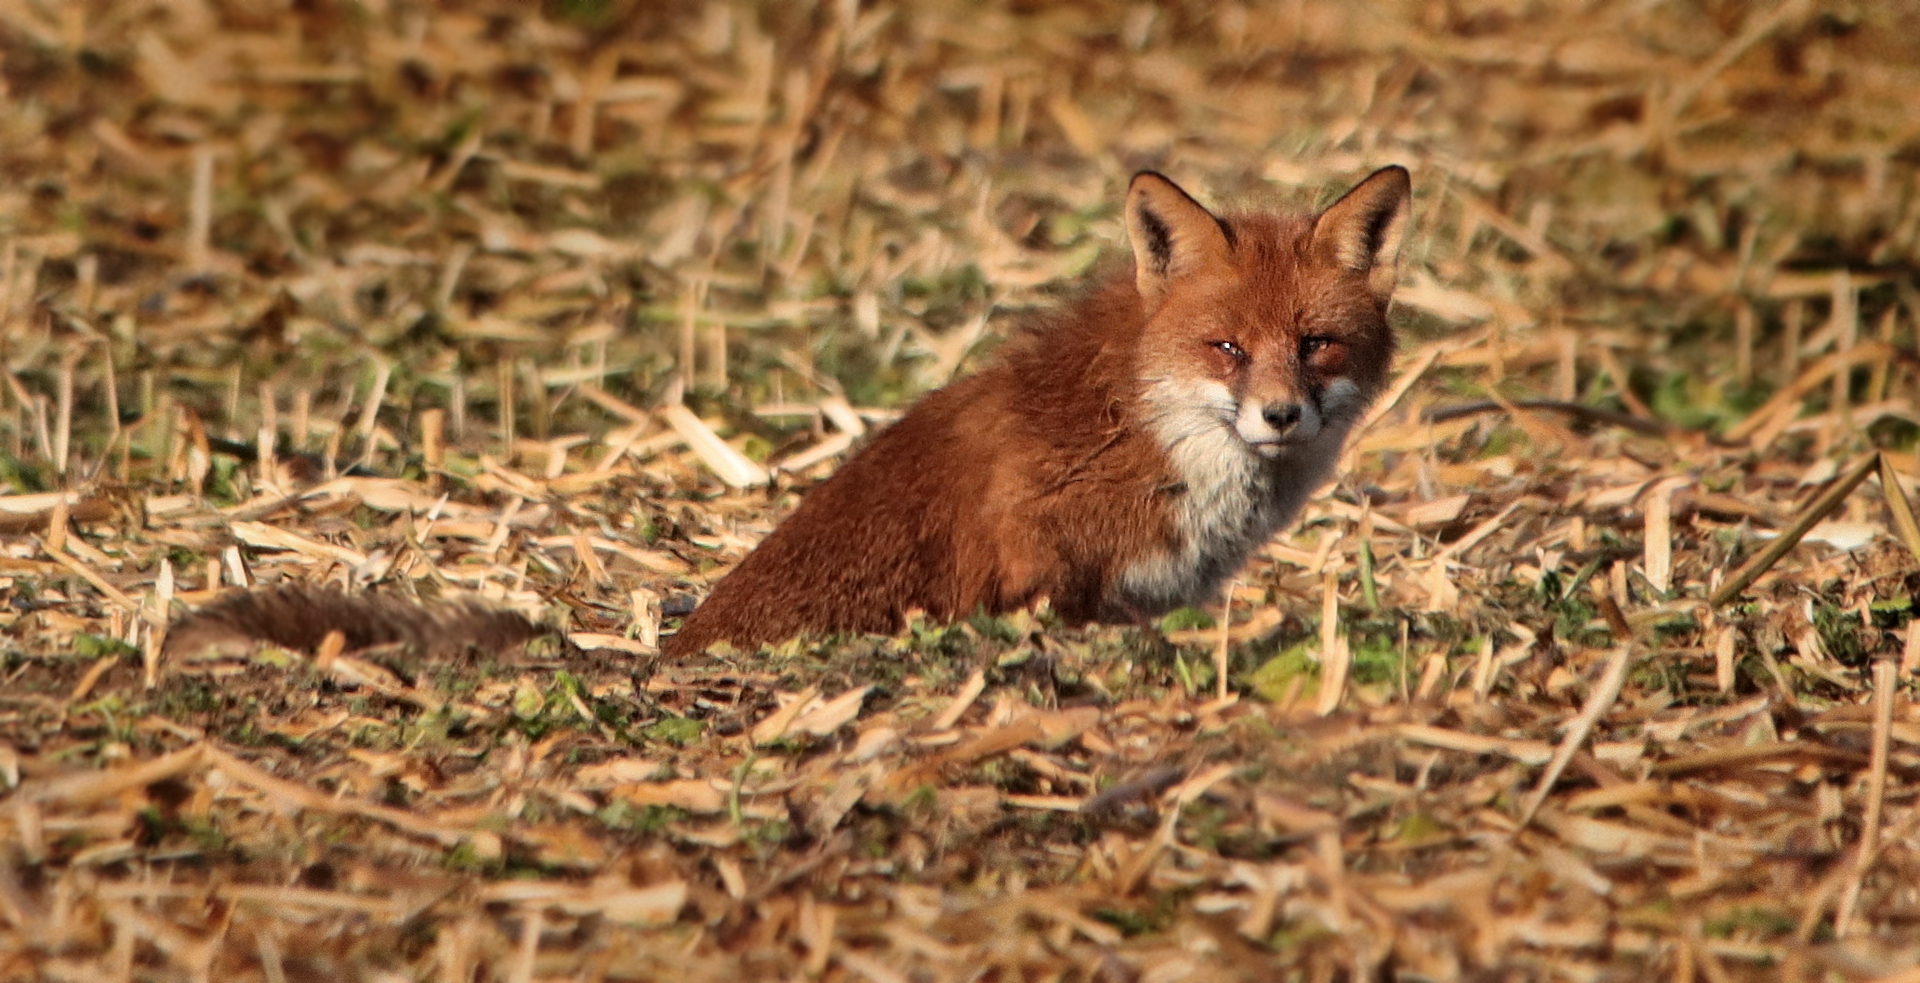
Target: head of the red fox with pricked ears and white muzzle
{"points": [[1270, 329]]}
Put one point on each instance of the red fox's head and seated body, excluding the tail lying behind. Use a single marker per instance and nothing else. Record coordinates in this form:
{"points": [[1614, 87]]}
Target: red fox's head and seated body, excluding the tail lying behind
{"points": [[1120, 458]]}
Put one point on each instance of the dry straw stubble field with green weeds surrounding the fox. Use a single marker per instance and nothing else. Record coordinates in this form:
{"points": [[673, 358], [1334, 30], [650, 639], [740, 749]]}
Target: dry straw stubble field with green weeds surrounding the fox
{"points": [[1595, 665]]}
